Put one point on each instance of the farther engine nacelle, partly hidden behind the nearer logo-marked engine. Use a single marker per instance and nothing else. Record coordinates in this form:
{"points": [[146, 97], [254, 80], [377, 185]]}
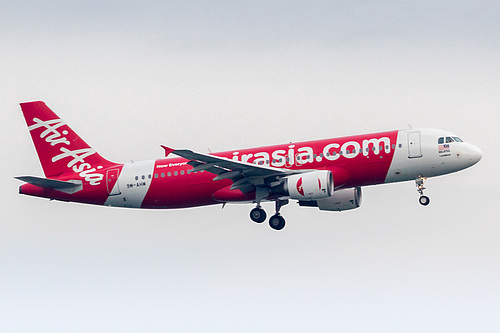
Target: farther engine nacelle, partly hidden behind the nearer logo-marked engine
{"points": [[345, 199]]}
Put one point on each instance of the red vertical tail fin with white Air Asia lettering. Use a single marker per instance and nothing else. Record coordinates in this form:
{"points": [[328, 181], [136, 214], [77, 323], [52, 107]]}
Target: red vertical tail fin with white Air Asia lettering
{"points": [[59, 148]]}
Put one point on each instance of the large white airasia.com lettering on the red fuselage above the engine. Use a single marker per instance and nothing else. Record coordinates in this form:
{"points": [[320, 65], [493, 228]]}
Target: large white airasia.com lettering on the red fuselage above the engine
{"points": [[302, 155]]}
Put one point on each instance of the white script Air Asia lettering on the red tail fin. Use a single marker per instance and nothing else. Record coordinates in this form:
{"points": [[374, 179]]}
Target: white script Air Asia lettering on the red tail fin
{"points": [[77, 163]]}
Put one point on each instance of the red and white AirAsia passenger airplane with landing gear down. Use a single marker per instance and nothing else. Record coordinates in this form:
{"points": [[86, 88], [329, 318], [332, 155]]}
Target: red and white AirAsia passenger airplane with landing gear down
{"points": [[327, 174]]}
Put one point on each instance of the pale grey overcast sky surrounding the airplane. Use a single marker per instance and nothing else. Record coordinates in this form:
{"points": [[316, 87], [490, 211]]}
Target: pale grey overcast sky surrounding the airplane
{"points": [[131, 75]]}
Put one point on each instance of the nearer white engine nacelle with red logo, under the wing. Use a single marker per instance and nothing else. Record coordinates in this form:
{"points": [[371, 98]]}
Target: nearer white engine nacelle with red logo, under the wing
{"points": [[310, 186]]}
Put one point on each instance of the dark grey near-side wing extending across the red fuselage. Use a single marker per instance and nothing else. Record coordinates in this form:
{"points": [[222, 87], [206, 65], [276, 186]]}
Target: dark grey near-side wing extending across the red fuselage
{"points": [[245, 176]]}
